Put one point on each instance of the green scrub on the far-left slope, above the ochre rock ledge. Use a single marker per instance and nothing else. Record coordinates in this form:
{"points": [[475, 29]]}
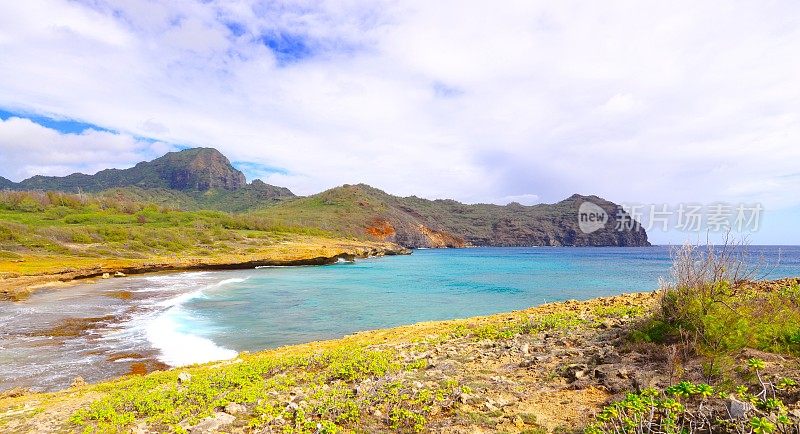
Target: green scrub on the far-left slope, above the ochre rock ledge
{"points": [[80, 225]]}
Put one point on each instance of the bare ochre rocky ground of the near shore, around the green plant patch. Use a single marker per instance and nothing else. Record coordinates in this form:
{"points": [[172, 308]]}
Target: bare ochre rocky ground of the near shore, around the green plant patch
{"points": [[555, 375]]}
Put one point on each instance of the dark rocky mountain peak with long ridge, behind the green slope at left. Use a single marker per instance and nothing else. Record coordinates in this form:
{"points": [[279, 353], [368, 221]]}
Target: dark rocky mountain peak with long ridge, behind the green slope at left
{"points": [[190, 179]]}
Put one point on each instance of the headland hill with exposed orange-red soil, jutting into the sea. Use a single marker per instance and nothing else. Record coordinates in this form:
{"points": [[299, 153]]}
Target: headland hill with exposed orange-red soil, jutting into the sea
{"points": [[360, 210]]}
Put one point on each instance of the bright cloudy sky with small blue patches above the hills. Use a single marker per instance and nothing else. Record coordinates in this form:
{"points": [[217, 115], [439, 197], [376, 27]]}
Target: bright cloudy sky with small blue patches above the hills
{"points": [[638, 102]]}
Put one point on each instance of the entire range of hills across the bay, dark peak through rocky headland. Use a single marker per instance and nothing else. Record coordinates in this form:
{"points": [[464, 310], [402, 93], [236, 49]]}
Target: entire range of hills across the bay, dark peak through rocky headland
{"points": [[203, 178]]}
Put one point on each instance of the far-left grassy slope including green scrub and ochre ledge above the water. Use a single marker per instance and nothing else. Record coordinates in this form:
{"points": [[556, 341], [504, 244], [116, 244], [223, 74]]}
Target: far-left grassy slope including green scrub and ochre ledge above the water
{"points": [[74, 236]]}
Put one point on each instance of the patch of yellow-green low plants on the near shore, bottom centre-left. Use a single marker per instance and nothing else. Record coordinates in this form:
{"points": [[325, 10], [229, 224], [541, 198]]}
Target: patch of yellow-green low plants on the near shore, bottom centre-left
{"points": [[309, 393]]}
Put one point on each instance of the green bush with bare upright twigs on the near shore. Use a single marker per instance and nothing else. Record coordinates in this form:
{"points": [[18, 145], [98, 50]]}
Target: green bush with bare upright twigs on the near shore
{"points": [[712, 308]]}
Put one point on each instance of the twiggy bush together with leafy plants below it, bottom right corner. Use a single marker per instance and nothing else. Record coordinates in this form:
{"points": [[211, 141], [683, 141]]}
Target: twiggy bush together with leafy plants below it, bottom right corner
{"points": [[709, 313]]}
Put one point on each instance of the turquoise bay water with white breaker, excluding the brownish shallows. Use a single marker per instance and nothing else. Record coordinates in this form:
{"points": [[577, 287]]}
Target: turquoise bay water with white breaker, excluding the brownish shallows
{"points": [[278, 306]]}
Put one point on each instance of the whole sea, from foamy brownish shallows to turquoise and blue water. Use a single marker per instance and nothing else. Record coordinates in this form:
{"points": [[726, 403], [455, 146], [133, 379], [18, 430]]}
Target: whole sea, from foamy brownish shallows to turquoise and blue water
{"points": [[191, 317]]}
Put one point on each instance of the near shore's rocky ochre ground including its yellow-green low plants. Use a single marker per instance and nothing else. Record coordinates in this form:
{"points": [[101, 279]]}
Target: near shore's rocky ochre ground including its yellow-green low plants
{"points": [[546, 369]]}
